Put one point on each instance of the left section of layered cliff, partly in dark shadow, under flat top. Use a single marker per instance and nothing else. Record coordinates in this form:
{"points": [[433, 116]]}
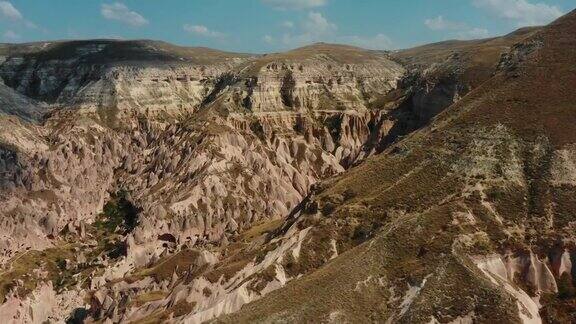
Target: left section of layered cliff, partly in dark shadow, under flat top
{"points": [[115, 79]]}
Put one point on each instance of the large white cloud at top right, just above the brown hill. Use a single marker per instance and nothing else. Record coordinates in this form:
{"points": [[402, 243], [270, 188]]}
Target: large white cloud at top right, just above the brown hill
{"points": [[522, 12]]}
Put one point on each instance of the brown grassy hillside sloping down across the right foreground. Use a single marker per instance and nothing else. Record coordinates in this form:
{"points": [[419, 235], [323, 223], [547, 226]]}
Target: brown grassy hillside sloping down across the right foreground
{"points": [[475, 207]]}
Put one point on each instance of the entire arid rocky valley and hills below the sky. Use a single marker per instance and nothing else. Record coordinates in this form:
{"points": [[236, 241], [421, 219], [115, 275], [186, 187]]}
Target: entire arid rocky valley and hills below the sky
{"points": [[143, 182]]}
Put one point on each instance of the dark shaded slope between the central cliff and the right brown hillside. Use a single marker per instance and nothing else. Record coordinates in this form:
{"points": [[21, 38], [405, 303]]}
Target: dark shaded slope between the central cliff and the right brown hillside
{"points": [[440, 74]]}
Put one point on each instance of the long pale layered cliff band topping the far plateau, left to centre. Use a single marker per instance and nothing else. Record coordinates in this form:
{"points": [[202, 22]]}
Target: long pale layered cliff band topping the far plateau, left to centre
{"points": [[85, 76]]}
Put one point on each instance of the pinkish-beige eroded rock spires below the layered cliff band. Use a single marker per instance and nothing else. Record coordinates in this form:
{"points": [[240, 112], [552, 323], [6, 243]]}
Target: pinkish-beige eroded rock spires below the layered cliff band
{"points": [[198, 181]]}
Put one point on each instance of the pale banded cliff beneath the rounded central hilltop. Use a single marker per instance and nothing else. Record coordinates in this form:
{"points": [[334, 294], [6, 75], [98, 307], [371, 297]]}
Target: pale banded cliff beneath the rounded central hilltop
{"points": [[321, 77]]}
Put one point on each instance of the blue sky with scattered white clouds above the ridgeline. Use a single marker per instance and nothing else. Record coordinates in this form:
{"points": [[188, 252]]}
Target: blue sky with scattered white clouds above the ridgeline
{"points": [[260, 26]]}
